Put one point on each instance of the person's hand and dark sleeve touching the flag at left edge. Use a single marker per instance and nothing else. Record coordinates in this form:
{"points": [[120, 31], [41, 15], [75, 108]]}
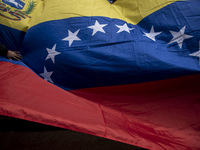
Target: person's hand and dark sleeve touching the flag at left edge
{"points": [[4, 51]]}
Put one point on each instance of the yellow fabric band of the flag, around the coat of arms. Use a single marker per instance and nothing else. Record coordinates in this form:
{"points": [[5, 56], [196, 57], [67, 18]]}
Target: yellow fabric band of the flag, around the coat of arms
{"points": [[131, 11]]}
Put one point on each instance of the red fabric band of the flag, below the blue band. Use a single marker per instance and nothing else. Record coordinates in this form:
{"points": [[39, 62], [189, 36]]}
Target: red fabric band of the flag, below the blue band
{"points": [[155, 115]]}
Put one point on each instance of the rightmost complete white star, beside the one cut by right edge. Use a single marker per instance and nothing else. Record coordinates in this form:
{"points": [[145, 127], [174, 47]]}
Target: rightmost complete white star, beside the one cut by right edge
{"points": [[179, 37]]}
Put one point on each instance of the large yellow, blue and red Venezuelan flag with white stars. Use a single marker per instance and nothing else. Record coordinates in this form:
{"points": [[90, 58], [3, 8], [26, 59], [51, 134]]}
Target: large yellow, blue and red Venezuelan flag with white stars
{"points": [[127, 71]]}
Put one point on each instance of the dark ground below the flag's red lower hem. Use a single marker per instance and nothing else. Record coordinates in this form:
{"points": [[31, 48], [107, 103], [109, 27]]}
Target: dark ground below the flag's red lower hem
{"points": [[17, 134]]}
